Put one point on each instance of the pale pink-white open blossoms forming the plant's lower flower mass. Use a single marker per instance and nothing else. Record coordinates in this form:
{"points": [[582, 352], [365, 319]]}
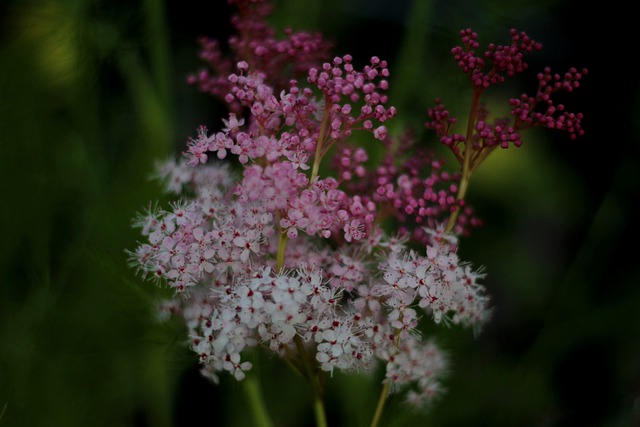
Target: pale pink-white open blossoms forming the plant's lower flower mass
{"points": [[348, 306]]}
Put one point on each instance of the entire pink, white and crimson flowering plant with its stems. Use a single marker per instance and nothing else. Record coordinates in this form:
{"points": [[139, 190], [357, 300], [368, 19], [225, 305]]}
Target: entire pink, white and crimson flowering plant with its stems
{"points": [[328, 272]]}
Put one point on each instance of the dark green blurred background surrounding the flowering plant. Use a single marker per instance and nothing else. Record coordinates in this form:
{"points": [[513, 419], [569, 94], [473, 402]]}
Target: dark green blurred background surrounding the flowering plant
{"points": [[93, 92]]}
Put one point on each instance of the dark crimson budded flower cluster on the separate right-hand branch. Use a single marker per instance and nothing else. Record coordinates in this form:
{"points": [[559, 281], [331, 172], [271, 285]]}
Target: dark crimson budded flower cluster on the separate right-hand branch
{"points": [[497, 63]]}
